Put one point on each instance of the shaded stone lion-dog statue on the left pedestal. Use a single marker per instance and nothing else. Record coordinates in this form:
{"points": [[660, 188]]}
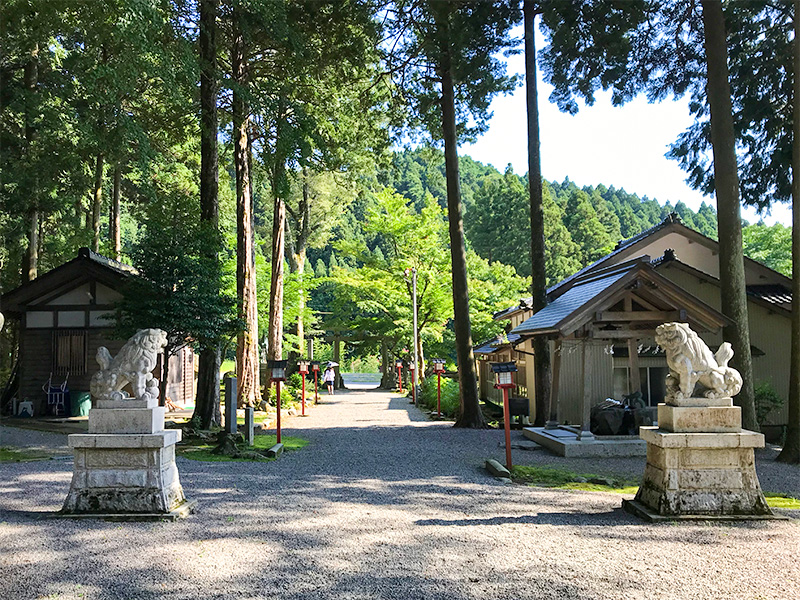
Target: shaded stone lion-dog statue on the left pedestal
{"points": [[132, 365]]}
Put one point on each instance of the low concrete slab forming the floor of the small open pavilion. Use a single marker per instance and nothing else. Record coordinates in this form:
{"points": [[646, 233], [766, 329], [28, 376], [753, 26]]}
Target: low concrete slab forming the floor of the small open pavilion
{"points": [[565, 443]]}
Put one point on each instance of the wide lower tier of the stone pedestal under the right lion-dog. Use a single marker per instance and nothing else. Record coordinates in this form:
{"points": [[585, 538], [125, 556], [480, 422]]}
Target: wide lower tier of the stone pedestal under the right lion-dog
{"points": [[706, 474]]}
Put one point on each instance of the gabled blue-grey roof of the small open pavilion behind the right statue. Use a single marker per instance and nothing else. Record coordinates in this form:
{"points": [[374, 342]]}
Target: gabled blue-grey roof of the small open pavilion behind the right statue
{"points": [[598, 290]]}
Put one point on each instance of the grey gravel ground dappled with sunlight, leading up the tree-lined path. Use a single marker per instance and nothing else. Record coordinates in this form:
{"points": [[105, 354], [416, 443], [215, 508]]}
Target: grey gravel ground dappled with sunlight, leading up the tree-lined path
{"points": [[386, 504]]}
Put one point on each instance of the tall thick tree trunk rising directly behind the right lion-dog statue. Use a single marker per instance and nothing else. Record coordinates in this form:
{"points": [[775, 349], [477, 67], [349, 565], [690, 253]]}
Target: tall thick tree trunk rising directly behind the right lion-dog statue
{"points": [[726, 184]]}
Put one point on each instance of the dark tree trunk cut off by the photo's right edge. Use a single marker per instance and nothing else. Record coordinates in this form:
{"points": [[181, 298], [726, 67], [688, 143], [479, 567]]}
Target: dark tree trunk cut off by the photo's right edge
{"points": [[791, 447]]}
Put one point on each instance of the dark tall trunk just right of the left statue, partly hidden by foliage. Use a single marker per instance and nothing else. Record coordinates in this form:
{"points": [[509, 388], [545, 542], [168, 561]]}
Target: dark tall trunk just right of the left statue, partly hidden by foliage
{"points": [[207, 408]]}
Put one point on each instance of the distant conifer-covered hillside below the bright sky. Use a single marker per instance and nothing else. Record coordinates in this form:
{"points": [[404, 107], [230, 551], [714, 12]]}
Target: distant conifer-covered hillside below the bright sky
{"points": [[582, 224]]}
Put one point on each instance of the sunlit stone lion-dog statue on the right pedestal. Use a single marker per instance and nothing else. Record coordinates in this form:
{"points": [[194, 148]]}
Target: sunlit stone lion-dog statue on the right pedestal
{"points": [[691, 362]]}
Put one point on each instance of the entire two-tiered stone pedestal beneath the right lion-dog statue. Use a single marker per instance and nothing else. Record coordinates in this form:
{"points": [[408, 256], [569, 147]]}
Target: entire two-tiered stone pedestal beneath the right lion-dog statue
{"points": [[700, 464]]}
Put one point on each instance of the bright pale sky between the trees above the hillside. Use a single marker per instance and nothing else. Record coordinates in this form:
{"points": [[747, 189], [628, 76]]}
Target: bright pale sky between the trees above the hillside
{"points": [[619, 146]]}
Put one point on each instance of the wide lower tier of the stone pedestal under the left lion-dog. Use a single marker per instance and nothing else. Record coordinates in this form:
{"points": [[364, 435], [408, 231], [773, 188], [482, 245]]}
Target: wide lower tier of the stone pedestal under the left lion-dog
{"points": [[124, 474]]}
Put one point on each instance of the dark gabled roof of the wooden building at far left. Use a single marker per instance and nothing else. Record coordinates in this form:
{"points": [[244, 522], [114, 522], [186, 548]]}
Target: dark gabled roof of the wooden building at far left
{"points": [[86, 266]]}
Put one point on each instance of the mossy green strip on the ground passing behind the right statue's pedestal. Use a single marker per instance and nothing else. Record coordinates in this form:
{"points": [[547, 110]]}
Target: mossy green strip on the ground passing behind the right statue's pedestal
{"points": [[564, 479]]}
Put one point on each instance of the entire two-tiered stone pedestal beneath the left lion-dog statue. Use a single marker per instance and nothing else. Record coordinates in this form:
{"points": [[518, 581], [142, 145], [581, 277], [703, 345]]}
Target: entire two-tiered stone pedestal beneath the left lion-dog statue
{"points": [[125, 465]]}
